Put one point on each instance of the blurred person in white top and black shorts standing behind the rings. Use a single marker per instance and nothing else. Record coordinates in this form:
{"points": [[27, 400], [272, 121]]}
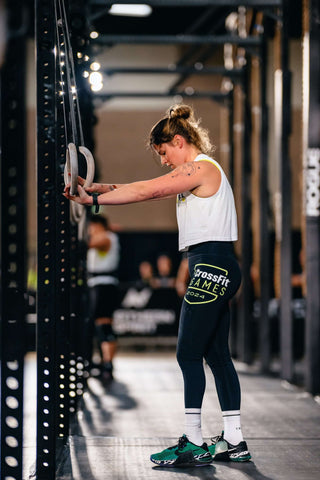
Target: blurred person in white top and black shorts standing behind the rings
{"points": [[103, 258]]}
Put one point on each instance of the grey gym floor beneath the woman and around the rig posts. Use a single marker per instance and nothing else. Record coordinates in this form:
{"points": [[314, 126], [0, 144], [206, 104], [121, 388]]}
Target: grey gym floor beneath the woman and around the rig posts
{"points": [[141, 412]]}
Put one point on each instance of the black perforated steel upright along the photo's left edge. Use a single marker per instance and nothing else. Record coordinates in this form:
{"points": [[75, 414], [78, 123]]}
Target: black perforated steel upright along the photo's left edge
{"points": [[13, 247]]}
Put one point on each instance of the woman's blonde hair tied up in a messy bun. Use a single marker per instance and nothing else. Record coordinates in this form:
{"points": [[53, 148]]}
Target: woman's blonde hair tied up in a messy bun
{"points": [[180, 120]]}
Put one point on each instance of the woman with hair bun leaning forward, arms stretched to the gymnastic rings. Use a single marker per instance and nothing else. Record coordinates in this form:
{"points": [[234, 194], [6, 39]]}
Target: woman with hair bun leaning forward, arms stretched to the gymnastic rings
{"points": [[207, 227]]}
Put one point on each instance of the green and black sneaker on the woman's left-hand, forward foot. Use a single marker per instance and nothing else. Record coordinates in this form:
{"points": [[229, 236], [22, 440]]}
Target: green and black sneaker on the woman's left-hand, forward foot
{"points": [[184, 454]]}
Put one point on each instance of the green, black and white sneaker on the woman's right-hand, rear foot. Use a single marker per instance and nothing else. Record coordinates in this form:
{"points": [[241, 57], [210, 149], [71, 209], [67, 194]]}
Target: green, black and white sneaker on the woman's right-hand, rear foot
{"points": [[222, 450]]}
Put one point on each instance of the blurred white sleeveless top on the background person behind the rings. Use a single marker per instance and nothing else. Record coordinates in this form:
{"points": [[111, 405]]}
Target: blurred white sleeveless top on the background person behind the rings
{"points": [[104, 263]]}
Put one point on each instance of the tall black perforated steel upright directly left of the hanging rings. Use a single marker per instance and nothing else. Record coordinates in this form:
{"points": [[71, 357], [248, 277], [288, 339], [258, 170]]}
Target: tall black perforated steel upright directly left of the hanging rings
{"points": [[53, 308]]}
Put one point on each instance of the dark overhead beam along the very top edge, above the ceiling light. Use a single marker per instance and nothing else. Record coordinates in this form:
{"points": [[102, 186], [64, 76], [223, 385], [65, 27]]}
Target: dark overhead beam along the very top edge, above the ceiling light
{"points": [[194, 3]]}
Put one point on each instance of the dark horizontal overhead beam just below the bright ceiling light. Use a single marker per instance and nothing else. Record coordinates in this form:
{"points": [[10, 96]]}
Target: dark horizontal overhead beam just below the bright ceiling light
{"points": [[178, 39]]}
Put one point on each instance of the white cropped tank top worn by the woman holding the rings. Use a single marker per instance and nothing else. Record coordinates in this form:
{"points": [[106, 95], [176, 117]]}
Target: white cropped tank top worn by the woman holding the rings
{"points": [[207, 219]]}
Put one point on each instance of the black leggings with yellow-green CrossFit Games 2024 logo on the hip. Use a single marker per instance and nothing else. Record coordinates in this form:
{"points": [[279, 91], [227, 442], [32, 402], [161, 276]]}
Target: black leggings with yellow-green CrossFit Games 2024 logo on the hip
{"points": [[204, 324]]}
